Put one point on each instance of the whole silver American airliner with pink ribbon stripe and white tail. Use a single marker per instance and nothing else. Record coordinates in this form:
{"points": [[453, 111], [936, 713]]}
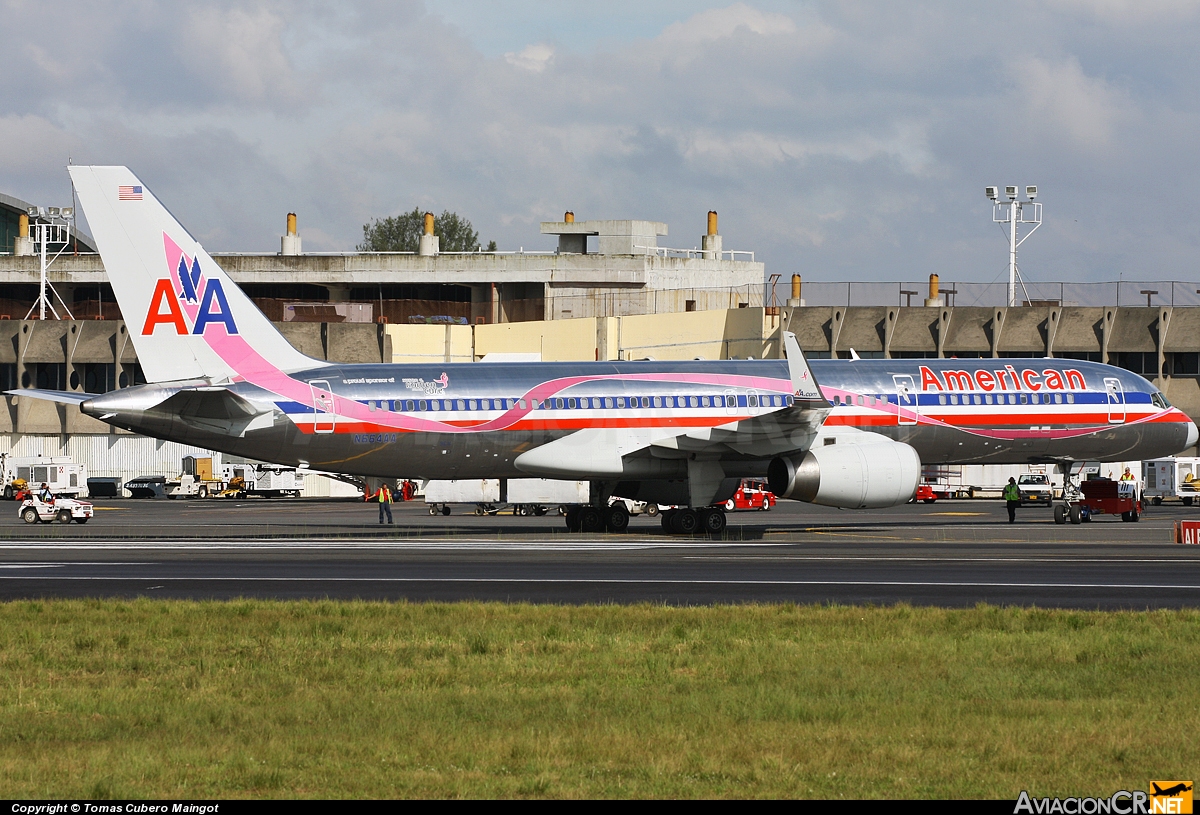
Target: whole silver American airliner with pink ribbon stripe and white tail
{"points": [[838, 433]]}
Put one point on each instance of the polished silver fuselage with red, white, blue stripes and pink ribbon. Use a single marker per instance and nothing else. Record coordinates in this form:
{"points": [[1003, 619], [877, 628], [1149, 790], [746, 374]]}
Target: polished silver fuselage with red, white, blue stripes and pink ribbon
{"points": [[473, 421]]}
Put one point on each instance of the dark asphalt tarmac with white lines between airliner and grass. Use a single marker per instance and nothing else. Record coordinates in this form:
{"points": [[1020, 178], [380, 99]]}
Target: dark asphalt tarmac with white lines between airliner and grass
{"points": [[955, 554]]}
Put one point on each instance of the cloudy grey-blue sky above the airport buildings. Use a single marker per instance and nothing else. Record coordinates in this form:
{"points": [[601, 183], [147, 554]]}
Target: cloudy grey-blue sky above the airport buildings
{"points": [[837, 140]]}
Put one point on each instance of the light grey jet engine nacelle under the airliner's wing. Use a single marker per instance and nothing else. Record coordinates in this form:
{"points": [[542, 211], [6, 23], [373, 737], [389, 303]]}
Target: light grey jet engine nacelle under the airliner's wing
{"points": [[851, 476]]}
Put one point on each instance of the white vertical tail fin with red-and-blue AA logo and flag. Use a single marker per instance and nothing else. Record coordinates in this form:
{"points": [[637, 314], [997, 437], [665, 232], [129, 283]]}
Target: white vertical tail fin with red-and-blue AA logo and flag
{"points": [[188, 320]]}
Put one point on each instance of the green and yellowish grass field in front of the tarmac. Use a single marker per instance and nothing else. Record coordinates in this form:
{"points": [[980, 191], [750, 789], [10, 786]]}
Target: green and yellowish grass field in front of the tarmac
{"points": [[158, 699]]}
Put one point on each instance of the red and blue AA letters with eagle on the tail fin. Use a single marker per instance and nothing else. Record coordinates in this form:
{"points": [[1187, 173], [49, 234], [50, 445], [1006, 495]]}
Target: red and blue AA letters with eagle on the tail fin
{"points": [[188, 302]]}
